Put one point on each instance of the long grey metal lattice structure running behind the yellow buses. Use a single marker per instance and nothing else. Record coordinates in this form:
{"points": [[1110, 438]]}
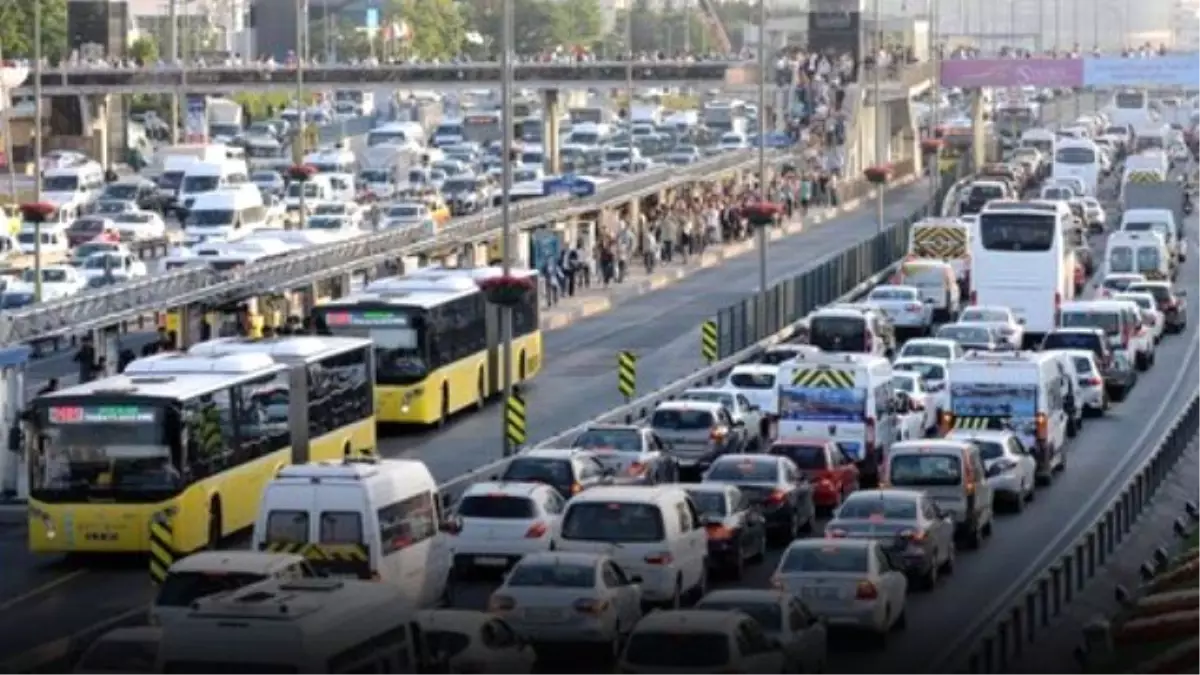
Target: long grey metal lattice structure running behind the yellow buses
{"points": [[110, 307]]}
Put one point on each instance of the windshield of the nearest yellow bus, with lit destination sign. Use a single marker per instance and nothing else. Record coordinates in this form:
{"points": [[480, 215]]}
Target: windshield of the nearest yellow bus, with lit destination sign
{"points": [[113, 450]]}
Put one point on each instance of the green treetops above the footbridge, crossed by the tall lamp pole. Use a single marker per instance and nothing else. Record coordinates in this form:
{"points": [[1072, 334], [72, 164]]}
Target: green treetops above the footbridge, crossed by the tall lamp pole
{"points": [[538, 26]]}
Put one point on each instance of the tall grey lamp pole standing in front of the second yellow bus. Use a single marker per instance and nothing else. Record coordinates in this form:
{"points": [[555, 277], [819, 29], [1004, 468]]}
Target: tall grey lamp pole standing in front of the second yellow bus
{"points": [[506, 212]]}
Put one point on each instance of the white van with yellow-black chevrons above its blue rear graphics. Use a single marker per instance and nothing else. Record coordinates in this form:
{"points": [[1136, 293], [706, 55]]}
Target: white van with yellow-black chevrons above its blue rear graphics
{"points": [[845, 398]]}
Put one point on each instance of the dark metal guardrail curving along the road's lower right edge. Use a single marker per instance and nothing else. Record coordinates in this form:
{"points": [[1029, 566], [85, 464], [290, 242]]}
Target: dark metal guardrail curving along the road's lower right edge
{"points": [[998, 640]]}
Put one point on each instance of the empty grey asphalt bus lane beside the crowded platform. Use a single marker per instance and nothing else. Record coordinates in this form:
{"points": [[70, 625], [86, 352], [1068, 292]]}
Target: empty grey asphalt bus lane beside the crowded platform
{"points": [[579, 383]]}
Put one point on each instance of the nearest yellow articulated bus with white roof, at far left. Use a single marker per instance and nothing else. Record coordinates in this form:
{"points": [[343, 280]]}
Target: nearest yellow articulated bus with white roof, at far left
{"points": [[191, 438]]}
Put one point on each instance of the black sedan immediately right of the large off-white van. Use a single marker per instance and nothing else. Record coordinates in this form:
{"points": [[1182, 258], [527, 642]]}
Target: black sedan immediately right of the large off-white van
{"points": [[737, 531]]}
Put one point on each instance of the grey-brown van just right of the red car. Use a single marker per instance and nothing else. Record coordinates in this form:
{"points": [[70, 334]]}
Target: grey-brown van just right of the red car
{"points": [[952, 473]]}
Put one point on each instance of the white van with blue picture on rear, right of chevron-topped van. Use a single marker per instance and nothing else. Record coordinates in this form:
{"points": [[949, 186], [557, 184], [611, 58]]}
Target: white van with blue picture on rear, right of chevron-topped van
{"points": [[1024, 392]]}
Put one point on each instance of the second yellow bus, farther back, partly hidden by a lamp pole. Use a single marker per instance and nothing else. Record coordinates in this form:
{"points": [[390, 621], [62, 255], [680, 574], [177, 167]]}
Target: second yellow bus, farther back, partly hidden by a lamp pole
{"points": [[439, 348]]}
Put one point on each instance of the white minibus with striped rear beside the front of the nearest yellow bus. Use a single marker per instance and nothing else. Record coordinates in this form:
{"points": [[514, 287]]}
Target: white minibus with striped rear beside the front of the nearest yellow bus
{"points": [[368, 518]]}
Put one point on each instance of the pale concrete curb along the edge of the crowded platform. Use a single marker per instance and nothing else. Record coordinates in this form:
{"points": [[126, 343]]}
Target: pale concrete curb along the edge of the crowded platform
{"points": [[601, 304]]}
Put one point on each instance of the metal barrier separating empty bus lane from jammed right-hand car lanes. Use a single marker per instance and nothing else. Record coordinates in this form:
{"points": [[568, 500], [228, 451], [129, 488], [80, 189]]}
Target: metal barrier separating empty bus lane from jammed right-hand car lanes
{"points": [[859, 268]]}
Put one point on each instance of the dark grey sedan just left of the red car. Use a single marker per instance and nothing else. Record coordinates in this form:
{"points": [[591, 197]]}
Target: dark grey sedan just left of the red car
{"points": [[775, 486]]}
